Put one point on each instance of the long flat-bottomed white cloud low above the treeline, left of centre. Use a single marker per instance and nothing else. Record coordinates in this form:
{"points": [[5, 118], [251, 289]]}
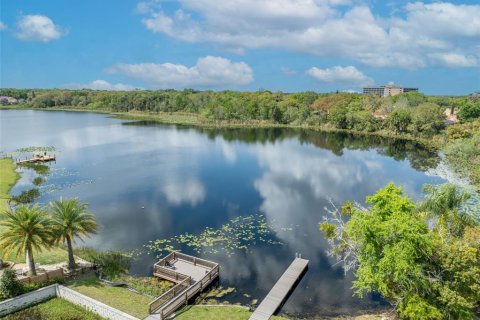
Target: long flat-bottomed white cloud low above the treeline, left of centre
{"points": [[209, 71]]}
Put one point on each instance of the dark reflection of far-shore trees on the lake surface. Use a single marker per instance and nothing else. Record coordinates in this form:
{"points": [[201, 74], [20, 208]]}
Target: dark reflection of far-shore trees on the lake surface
{"points": [[420, 157]]}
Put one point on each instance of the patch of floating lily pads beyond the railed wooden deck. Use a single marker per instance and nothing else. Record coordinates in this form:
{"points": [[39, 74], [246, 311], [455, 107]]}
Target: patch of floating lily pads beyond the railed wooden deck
{"points": [[240, 233]]}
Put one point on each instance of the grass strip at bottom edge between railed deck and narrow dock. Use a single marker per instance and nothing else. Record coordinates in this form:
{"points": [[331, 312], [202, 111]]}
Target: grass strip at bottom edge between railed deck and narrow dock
{"points": [[217, 313]]}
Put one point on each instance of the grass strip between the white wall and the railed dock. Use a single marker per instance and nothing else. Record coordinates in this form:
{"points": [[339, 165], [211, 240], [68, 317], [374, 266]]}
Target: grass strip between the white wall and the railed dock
{"points": [[119, 298]]}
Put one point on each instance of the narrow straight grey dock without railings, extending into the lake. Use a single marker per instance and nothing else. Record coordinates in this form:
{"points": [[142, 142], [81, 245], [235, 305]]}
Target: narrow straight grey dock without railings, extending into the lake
{"points": [[280, 290]]}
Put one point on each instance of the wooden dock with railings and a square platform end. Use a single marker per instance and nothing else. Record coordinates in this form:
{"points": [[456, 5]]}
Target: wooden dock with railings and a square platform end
{"points": [[190, 275]]}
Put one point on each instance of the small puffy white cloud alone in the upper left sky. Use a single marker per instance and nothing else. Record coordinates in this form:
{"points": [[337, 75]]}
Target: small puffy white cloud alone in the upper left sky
{"points": [[38, 28]]}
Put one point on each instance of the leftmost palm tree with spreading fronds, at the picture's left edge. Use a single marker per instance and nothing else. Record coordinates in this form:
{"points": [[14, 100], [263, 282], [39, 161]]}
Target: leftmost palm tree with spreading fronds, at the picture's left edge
{"points": [[27, 228]]}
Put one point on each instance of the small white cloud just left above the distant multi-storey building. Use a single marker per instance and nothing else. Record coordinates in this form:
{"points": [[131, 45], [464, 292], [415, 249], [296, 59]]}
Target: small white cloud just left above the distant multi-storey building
{"points": [[341, 75]]}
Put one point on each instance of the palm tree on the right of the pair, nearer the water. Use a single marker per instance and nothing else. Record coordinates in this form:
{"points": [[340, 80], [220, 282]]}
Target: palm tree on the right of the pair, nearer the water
{"points": [[71, 220]]}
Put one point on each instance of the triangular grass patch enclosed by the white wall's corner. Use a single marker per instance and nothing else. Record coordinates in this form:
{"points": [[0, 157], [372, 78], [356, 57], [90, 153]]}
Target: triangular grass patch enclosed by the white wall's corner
{"points": [[55, 309]]}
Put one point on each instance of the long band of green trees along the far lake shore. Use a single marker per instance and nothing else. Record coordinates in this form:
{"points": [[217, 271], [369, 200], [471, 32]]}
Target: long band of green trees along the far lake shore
{"points": [[409, 113]]}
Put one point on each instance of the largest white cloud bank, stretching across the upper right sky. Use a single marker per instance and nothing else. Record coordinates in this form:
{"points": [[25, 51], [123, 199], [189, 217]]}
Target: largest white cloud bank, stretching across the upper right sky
{"points": [[407, 37]]}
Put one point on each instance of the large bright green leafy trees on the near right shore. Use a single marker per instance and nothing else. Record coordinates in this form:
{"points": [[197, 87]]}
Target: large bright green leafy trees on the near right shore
{"points": [[422, 257]]}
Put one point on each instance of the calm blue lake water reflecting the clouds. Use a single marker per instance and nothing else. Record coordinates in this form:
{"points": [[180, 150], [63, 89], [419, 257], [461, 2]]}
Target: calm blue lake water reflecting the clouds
{"points": [[187, 179]]}
